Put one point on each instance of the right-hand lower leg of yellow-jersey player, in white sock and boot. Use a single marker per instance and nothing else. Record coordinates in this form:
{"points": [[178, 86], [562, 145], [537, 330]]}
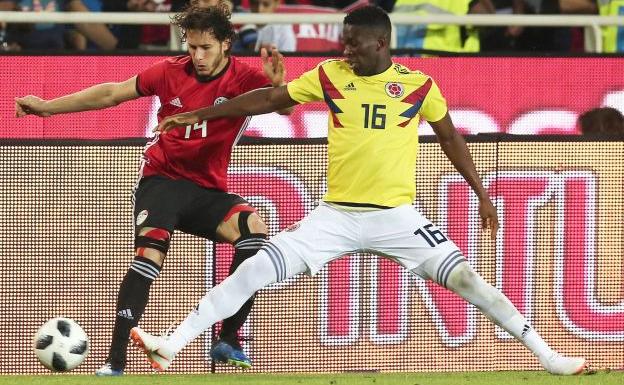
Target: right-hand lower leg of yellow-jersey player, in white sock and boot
{"points": [[465, 282]]}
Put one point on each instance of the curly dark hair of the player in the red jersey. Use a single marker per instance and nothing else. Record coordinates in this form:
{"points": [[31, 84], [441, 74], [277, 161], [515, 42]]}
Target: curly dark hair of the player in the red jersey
{"points": [[215, 19]]}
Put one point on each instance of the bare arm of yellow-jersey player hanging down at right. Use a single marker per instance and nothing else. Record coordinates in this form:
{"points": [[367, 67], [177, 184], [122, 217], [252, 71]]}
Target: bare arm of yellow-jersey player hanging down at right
{"points": [[455, 148]]}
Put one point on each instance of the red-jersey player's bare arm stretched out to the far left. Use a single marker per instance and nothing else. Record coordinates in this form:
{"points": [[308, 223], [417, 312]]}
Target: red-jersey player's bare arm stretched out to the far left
{"points": [[100, 96]]}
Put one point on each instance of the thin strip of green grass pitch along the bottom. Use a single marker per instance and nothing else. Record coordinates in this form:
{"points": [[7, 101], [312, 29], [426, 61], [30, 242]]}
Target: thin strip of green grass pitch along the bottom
{"points": [[476, 378]]}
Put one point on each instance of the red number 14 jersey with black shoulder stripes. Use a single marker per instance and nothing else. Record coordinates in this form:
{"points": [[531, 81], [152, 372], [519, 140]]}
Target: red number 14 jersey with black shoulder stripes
{"points": [[200, 152]]}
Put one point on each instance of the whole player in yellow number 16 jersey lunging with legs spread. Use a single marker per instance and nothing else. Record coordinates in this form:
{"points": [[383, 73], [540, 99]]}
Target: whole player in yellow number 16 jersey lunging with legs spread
{"points": [[374, 109]]}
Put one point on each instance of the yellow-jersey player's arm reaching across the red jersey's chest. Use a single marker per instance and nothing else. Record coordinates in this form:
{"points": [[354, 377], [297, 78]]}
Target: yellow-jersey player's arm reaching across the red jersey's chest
{"points": [[256, 102]]}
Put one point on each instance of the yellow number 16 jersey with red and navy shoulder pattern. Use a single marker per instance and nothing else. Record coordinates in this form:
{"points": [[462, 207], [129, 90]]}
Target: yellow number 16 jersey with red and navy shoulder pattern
{"points": [[372, 129]]}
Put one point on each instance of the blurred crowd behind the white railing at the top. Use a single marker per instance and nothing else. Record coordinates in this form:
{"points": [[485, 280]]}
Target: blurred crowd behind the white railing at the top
{"points": [[315, 37]]}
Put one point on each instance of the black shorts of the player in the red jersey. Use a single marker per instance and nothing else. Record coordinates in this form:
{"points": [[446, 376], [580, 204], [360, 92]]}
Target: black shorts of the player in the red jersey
{"points": [[182, 205]]}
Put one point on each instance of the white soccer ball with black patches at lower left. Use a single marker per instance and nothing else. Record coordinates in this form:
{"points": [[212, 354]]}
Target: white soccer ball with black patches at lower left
{"points": [[61, 345]]}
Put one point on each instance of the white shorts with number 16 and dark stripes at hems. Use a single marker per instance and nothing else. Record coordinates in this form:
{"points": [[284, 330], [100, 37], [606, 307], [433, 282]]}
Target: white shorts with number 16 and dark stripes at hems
{"points": [[401, 234]]}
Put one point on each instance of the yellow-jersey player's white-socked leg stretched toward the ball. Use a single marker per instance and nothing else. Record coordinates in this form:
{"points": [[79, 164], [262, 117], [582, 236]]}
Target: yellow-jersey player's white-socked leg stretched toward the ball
{"points": [[223, 300]]}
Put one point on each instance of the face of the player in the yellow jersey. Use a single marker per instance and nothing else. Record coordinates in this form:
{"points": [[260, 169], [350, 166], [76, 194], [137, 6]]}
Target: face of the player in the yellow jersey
{"points": [[362, 49]]}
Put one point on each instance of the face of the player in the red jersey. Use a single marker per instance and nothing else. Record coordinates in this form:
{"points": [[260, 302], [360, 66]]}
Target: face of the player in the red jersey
{"points": [[209, 54]]}
